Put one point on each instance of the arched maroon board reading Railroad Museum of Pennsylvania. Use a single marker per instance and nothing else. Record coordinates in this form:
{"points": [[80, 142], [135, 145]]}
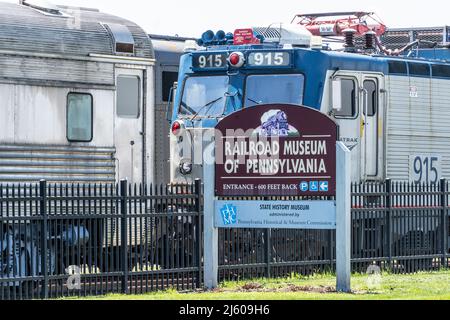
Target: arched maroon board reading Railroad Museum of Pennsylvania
{"points": [[276, 150]]}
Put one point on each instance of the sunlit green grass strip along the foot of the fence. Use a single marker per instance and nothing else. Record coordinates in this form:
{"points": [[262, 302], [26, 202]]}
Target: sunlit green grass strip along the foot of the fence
{"points": [[420, 286]]}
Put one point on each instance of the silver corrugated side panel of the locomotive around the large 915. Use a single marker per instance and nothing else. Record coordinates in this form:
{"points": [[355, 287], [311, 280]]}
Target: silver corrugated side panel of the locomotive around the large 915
{"points": [[417, 125]]}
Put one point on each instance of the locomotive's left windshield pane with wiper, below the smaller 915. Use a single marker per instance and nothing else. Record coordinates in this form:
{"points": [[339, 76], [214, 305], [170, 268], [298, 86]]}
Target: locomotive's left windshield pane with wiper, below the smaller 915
{"points": [[204, 96]]}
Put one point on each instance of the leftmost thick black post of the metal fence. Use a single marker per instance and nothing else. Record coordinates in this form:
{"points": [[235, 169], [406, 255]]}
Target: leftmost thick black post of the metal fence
{"points": [[44, 244]]}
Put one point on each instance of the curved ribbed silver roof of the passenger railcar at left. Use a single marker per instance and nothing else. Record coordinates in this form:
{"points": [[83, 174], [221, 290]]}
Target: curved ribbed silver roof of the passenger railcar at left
{"points": [[24, 29]]}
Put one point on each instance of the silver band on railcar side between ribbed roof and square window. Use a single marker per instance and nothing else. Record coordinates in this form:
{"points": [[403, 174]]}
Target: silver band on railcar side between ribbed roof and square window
{"points": [[45, 69]]}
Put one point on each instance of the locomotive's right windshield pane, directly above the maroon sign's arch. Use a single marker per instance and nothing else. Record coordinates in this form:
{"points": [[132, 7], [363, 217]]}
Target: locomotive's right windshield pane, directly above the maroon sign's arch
{"points": [[266, 89]]}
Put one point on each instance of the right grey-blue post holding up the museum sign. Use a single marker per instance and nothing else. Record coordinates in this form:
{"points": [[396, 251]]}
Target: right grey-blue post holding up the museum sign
{"points": [[343, 218]]}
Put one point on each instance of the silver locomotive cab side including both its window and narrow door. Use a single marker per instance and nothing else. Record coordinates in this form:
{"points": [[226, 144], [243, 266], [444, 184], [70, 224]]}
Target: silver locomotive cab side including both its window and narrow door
{"points": [[358, 109]]}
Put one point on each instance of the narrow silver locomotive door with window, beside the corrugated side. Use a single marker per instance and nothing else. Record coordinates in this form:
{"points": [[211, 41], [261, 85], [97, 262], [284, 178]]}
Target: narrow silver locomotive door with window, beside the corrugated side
{"points": [[371, 112]]}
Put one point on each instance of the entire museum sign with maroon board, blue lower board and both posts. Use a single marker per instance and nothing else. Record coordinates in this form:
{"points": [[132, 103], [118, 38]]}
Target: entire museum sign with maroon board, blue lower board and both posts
{"points": [[277, 151]]}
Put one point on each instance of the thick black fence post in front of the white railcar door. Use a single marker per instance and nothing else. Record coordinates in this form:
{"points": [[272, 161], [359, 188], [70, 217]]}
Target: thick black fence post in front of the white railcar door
{"points": [[124, 234]]}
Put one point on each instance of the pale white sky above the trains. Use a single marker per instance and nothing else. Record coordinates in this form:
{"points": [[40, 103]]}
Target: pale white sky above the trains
{"points": [[192, 18]]}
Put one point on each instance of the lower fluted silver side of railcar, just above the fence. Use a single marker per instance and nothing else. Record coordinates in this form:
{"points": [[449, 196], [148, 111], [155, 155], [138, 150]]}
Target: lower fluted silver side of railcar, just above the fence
{"points": [[56, 164]]}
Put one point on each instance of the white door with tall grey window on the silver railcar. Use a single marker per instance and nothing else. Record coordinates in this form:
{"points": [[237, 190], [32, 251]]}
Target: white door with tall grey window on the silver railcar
{"points": [[128, 126]]}
